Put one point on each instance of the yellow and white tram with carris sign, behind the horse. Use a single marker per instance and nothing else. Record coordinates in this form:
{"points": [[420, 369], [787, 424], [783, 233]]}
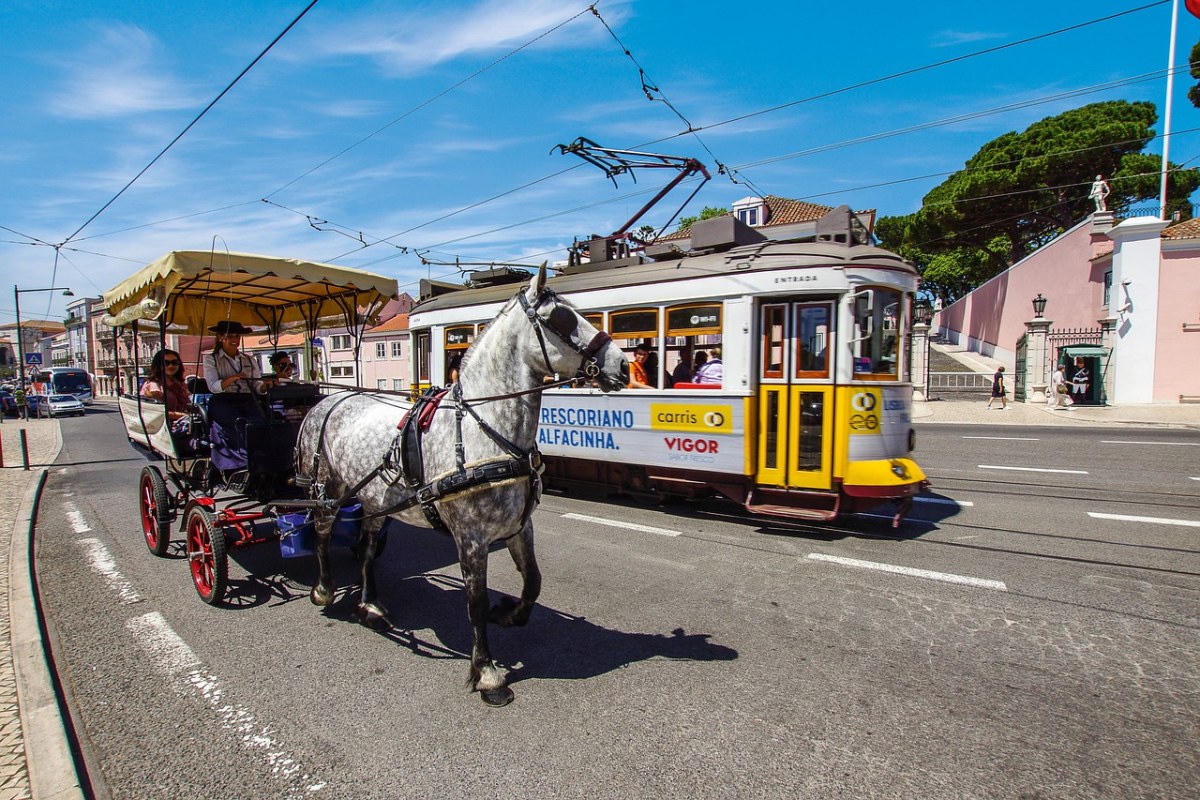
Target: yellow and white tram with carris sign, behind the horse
{"points": [[813, 416]]}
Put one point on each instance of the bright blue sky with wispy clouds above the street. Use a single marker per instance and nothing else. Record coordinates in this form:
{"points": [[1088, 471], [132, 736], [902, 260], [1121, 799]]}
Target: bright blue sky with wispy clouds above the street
{"points": [[433, 124]]}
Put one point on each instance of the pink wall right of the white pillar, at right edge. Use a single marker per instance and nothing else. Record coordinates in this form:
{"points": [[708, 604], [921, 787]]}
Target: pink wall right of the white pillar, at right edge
{"points": [[1179, 303]]}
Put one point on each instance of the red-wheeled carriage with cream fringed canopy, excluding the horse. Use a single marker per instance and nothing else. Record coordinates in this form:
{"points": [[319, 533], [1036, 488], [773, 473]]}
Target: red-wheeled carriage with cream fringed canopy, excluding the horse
{"points": [[189, 293]]}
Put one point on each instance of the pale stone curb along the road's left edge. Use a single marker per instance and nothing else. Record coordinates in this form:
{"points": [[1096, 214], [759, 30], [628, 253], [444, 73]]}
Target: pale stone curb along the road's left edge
{"points": [[52, 774]]}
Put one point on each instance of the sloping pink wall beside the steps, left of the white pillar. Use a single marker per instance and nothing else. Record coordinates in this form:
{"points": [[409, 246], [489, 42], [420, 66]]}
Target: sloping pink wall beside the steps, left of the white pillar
{"points": [[992, 318]]}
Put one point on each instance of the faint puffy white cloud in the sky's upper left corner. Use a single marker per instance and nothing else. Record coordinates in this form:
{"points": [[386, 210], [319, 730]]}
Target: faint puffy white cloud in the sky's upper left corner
{"points": [[122, 73]]}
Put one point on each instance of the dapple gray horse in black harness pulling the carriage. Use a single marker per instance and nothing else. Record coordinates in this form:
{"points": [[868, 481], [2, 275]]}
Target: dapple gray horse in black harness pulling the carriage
{"points": [[481, 460]]}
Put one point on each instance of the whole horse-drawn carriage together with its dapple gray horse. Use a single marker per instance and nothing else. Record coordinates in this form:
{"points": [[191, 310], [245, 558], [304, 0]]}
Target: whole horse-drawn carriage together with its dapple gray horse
{"points": [[466, 462]]}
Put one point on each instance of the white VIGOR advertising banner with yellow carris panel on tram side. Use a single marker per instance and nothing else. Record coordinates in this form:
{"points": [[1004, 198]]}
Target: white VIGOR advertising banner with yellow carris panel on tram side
{"points": [[655, 430]]}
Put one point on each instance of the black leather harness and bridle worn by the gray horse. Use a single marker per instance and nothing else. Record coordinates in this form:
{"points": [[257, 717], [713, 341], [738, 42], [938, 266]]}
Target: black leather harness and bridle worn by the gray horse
{"points": [[404, 460]]}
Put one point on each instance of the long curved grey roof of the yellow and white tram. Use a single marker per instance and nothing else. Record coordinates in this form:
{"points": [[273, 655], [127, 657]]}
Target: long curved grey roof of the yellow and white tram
{"points": [[767, 256]]}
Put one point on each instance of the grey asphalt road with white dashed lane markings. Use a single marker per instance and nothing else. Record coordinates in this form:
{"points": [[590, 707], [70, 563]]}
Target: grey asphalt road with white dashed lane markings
{"points": [[1004, 643]]}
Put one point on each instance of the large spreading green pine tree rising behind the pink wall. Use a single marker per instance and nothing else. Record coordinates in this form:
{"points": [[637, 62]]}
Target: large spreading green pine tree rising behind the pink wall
{"points": [[1022, 190]]}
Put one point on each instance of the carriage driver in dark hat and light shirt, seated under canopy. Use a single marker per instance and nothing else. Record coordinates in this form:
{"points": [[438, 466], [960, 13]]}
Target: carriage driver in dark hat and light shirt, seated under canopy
{"points": [[235, 380]]}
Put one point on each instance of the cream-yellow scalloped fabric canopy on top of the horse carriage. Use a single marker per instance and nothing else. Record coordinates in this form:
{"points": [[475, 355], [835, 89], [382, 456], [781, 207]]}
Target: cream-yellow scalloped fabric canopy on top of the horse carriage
{"points": [[200, 288]]}
